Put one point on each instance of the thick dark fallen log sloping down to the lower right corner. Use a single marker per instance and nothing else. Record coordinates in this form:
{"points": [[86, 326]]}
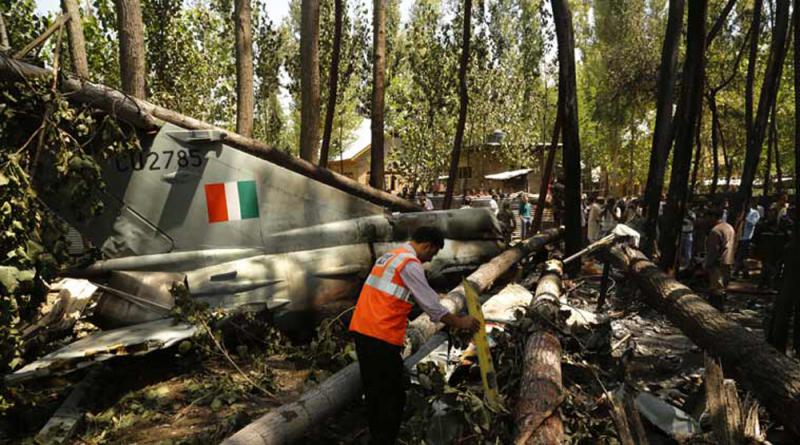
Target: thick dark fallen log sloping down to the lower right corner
{"points": [[771, 376]]}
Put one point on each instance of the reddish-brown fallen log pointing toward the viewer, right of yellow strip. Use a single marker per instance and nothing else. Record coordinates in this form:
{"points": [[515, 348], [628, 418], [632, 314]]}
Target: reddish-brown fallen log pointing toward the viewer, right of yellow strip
{"points": [[541, 391]]}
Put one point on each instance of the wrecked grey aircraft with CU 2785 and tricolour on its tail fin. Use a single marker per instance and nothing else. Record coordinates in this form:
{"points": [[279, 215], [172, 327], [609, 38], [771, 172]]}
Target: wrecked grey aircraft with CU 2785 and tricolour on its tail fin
{"points": [[241, 232]]}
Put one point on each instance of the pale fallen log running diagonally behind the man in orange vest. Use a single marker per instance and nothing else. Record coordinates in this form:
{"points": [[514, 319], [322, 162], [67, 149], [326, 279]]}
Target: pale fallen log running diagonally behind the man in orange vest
{"points": [[287, 424]]}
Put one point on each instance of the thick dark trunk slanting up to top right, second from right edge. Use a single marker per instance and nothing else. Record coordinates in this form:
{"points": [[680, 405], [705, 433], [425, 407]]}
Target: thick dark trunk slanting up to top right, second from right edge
{"points": [[769, 91]]}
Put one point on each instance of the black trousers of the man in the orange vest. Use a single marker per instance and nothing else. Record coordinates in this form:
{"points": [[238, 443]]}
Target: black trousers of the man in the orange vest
{"points": [[382, 373]]}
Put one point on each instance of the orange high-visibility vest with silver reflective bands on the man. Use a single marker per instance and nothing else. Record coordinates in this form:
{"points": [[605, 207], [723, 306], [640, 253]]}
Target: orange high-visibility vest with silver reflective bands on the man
{"points": [[385, 301]]}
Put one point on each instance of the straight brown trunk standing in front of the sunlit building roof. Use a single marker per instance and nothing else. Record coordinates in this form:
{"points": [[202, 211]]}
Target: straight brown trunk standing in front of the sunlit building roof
{"points": [[377, 153]]}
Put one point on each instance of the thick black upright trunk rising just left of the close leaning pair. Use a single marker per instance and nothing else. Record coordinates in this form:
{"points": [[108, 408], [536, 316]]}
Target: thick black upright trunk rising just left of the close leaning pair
{"points": [[568, 109]]}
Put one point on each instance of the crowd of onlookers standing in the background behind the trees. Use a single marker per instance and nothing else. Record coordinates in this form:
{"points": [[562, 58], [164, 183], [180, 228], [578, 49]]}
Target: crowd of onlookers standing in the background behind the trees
{"points": [[708, 241]]}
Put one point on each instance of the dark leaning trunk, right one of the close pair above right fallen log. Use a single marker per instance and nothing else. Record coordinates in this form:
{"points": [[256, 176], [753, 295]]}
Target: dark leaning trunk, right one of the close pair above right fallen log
{"points": [[686, 119]]}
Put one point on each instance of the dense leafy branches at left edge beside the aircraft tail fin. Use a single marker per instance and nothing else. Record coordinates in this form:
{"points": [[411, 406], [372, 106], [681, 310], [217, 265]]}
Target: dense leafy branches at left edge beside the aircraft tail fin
{"points": [[42, 160]]}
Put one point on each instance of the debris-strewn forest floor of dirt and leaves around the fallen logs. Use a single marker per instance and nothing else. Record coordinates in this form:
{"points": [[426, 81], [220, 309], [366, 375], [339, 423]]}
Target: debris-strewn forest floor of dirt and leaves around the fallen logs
{"points": [[188, 397]]}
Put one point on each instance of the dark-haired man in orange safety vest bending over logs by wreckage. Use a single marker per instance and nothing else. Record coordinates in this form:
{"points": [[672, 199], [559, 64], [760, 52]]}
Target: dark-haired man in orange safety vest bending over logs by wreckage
{"points": [[396, 282]]}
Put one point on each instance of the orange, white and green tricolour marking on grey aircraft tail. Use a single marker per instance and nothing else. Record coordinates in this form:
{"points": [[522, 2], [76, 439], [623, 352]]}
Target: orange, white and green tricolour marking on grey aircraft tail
{"points": [[231, 201]]}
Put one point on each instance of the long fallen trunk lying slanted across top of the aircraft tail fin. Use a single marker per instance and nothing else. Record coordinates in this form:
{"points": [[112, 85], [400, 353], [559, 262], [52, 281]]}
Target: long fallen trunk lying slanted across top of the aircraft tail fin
{"points": [[147, 116]]}
